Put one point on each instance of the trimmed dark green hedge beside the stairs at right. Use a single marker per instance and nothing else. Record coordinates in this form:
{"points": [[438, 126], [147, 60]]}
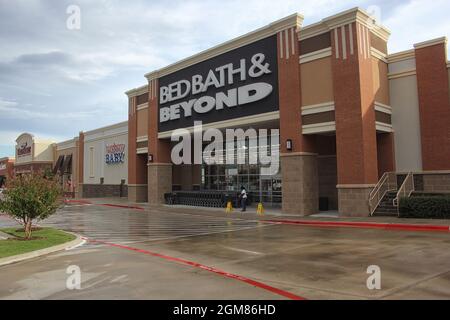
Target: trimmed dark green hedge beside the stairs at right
{"points": [[425, 207]]}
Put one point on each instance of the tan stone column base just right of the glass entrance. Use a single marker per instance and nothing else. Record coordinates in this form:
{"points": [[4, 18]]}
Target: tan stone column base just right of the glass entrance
{"points": [[300, 184]]}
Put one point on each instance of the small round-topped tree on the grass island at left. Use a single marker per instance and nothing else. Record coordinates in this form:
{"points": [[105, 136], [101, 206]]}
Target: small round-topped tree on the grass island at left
{"points": [[31, 197]]}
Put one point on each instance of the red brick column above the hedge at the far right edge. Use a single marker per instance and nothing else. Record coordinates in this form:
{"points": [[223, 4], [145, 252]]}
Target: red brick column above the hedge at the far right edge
{"points": [[434, 105]]}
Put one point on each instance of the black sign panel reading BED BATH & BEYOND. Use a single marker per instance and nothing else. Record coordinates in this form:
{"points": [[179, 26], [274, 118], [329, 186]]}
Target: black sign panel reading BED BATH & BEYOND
{"points": [[239, 83]]}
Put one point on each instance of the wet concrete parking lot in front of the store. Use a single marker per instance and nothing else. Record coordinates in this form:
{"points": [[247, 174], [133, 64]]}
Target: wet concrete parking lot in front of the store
{"points": [[178, 253]]}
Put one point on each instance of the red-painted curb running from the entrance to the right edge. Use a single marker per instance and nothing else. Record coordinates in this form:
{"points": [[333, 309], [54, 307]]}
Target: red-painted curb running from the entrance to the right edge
{"points": [[366, 225]]}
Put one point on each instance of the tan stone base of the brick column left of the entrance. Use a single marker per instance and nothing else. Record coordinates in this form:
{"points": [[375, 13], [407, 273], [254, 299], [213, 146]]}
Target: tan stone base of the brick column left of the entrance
{"points": [[159, 182]]}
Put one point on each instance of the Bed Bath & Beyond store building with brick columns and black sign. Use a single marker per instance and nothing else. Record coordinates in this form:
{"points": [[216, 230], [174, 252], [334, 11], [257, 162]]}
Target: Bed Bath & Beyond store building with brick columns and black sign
{"points": [[347, 111]]}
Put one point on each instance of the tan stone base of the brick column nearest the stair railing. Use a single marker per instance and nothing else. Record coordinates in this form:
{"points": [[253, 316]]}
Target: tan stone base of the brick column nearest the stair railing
{"points": [[353, 202]]}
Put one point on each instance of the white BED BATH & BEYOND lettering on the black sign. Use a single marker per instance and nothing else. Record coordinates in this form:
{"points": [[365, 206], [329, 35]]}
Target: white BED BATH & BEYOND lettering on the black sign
{"points": [[218, 78]]}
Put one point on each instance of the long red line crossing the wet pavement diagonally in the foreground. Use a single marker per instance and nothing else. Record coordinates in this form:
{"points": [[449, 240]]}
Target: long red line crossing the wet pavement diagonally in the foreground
{"points": [[206, 268]]}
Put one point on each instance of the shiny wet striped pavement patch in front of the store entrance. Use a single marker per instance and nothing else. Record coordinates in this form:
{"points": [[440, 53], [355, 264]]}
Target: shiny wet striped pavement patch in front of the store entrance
{"points": [[120, 225]]}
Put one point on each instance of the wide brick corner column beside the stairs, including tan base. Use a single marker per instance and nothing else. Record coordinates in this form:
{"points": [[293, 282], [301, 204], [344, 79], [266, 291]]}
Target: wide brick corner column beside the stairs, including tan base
{"points": [[356, 144]]}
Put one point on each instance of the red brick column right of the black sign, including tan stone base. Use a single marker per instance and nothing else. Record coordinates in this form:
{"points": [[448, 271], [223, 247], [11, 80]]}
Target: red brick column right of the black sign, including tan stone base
{"points": [[298, 166]]}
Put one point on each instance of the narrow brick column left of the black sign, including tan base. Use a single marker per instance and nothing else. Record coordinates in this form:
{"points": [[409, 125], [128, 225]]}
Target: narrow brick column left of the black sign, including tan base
{"points": [[160, 170]]}
